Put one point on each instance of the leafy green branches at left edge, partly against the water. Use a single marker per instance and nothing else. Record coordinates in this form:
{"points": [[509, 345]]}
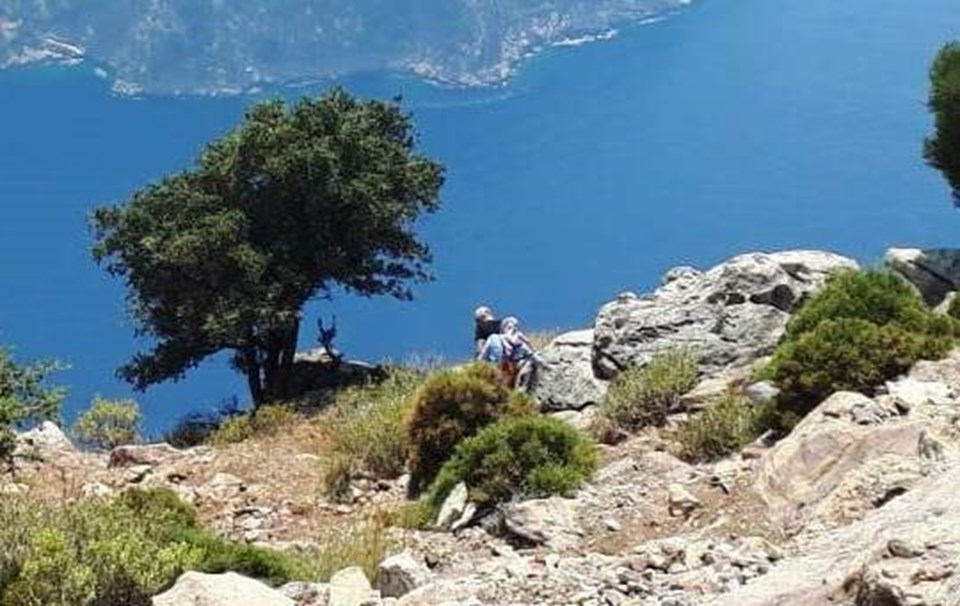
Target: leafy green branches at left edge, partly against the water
{"points": [[24, 399]]}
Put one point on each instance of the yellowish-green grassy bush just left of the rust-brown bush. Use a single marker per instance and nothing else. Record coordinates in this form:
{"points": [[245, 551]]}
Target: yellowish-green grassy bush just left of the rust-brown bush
{"points": [[366, 427]]}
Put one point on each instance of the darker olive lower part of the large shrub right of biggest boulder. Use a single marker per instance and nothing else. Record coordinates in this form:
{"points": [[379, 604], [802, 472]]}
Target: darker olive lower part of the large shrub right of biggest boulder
{"points": [[847, 355]]}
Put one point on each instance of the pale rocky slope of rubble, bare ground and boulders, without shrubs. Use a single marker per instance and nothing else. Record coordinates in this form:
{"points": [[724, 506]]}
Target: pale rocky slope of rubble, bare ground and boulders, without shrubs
{"points": [[856, 506]]}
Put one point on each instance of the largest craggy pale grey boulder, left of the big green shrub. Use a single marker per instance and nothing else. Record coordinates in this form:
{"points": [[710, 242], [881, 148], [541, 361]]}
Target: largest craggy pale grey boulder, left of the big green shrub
{"points": [[728, 316]]}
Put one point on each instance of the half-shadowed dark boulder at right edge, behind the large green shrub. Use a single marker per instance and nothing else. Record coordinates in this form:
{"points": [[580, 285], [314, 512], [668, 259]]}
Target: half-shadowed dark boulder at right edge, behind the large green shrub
{"points": [[934, 272]]}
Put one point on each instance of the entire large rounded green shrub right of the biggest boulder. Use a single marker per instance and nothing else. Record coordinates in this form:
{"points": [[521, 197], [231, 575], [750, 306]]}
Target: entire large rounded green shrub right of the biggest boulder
{"points": [[861, 329]]}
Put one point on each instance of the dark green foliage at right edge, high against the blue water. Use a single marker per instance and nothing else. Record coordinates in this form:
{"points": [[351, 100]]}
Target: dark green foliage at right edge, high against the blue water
{"points": [[942, 149]]}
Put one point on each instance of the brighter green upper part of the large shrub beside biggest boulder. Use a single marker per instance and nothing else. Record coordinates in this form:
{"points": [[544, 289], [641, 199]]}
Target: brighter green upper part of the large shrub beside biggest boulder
{"points": [[877, 296]]}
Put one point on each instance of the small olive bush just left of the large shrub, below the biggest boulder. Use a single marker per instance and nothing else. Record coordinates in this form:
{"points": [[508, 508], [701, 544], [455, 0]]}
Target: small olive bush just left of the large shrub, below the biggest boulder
{"points": [[722, 429]]}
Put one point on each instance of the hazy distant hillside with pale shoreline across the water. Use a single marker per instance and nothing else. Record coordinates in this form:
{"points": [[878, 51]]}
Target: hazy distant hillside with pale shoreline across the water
{"points": [[216, 46]]}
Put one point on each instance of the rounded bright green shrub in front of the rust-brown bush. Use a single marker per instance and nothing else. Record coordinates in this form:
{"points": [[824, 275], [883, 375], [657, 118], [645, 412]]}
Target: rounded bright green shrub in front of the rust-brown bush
{"points": [[529, 458]]}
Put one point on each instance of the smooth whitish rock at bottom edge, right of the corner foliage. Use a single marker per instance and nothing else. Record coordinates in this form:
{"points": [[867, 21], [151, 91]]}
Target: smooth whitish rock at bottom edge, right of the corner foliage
{"points": [[228, 589]]}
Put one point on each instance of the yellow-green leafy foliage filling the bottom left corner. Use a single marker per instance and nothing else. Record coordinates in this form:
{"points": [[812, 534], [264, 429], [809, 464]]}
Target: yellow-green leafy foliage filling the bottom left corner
{"points": [[104, 553]]}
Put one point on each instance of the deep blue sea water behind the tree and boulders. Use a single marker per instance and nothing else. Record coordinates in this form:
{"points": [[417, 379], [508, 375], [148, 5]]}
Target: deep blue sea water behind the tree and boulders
{"points": [[734, 126]]}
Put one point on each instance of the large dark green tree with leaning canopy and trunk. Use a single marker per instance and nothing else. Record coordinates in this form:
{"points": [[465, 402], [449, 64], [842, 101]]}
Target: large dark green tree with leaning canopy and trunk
{"points": [[294, 202]]}
